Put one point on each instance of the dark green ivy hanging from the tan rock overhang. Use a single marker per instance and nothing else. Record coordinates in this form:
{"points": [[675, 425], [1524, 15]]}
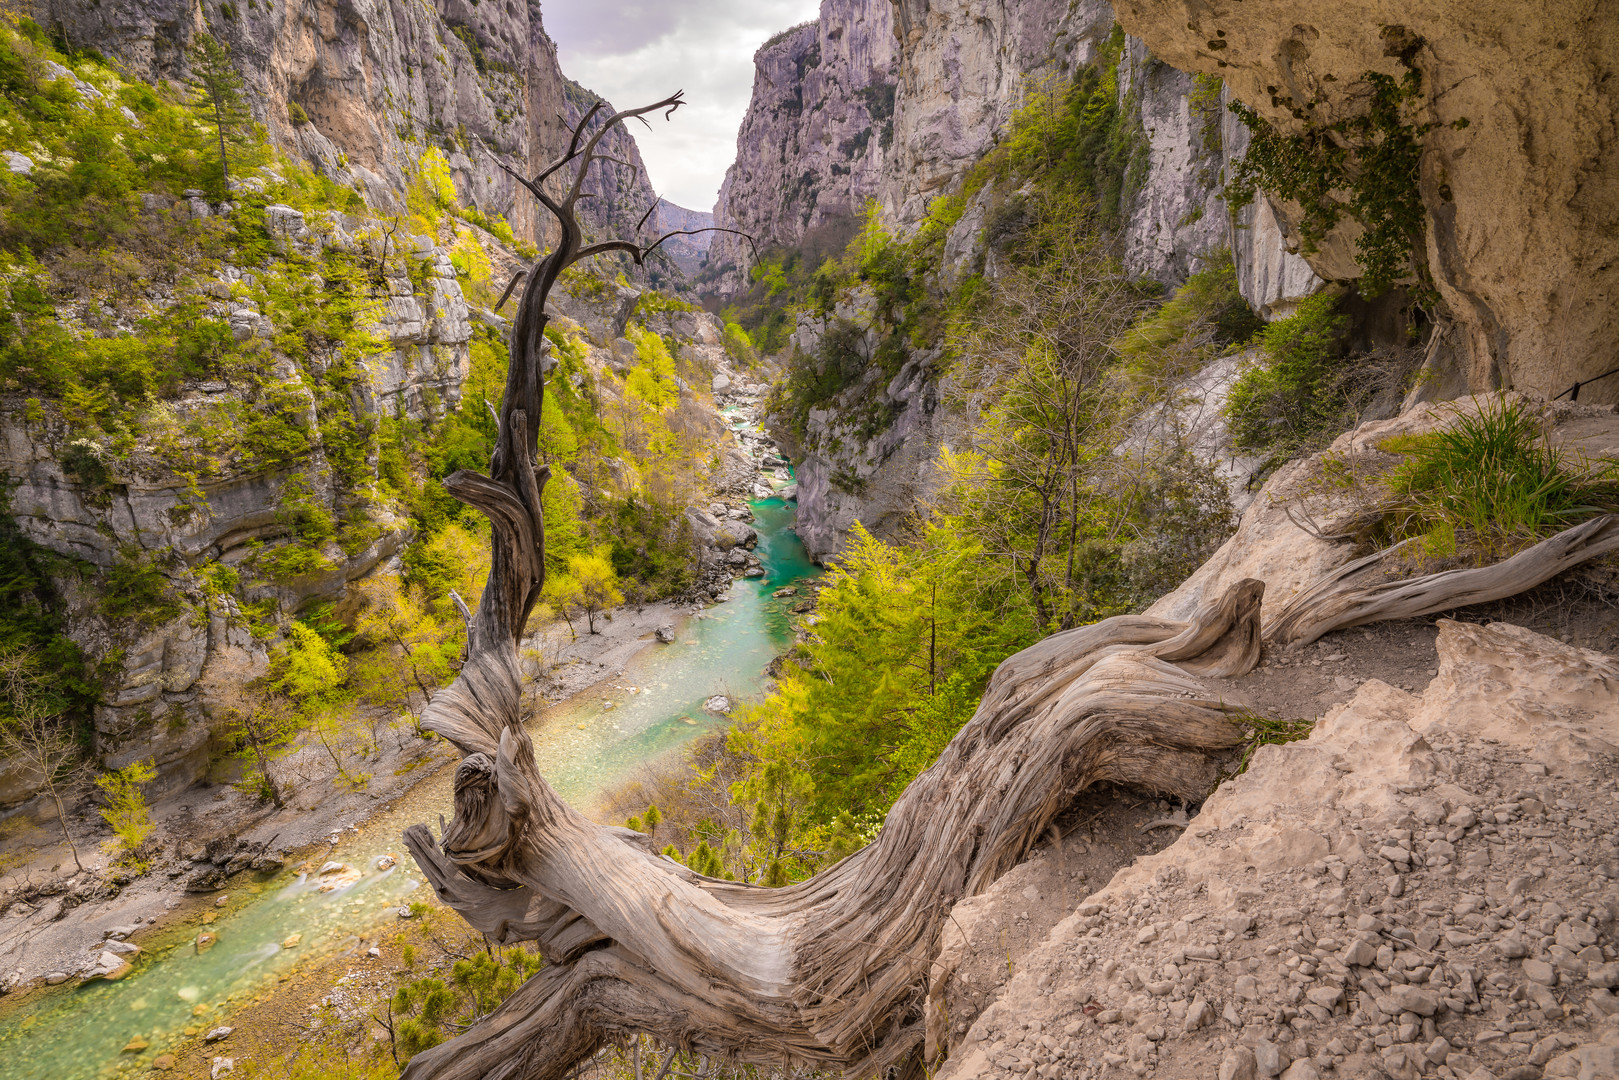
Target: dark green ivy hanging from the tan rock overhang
{"points": [[1375, 158]]}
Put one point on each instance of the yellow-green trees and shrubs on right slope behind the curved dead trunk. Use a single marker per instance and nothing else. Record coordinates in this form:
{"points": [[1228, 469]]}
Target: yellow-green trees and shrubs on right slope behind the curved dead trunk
{"points": [[1069, 500]]}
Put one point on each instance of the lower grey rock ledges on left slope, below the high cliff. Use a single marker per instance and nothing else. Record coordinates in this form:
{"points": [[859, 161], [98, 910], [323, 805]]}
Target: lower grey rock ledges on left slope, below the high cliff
{"points": [[150, 504]]}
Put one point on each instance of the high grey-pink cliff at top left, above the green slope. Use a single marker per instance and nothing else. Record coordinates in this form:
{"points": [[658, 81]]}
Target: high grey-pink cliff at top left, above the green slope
{"points": [[380, 82]]}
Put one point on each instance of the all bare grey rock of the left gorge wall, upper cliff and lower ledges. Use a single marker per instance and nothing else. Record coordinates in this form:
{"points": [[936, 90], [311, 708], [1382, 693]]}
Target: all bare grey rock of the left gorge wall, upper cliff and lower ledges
{"points": [[380, 83]]}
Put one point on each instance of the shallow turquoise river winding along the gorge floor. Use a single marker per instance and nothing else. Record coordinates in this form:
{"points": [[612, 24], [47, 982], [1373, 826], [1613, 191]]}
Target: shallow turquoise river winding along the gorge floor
{"points": [[584, 746]]}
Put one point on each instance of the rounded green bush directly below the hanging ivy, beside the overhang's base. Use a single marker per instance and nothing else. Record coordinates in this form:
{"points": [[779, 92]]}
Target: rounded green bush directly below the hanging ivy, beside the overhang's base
{"points": [[1285, 402]]}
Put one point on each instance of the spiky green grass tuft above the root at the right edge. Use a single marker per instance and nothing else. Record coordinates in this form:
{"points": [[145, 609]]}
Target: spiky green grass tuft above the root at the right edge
{"points": [[1492, 483]]}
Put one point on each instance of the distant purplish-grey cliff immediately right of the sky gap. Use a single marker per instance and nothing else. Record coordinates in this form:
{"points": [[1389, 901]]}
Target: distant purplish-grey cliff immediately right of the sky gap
{"points": [[817, 137]]}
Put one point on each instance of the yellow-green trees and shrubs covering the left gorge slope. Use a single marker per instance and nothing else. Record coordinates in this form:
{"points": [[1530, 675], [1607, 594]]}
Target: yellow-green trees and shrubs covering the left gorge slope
{"points": [[145, 339]]}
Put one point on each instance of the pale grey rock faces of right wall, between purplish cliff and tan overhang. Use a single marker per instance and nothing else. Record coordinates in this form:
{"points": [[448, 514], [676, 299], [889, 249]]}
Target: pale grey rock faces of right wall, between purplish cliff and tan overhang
{"points": [[964, 69]]}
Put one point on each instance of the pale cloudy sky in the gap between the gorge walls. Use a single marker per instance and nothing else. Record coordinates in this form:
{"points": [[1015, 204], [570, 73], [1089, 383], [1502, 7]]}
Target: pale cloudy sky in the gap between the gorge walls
{"points": [[639, 51]]}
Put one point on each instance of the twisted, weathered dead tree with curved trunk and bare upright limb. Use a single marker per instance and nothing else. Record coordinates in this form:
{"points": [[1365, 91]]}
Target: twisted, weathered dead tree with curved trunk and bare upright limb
{"points": [[828, 972]]}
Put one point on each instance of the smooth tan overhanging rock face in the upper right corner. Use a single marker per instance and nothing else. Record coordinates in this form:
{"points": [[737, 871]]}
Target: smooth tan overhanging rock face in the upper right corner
{"points": [[1518, 172]]}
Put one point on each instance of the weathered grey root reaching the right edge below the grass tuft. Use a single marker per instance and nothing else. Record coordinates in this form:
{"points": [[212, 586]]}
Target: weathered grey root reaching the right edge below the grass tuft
{"points": [[1345, 600]]}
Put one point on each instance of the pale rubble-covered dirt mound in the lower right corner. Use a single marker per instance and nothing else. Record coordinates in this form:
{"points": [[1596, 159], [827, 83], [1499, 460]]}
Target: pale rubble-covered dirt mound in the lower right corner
{"points": [[1426, 887]]}
